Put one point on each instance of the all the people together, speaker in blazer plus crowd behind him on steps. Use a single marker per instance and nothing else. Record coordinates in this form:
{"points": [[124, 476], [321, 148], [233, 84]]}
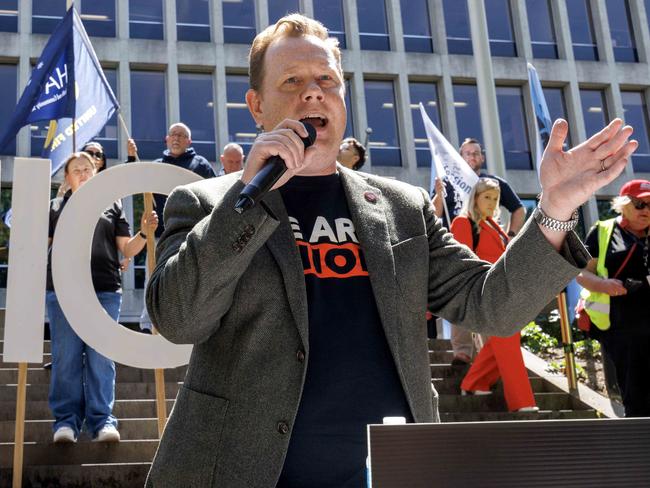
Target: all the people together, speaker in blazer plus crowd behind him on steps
{"points": [[335, 270]]}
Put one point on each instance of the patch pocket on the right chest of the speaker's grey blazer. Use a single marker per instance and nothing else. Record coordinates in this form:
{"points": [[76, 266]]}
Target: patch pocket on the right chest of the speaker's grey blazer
{"points": [[412, 272]]}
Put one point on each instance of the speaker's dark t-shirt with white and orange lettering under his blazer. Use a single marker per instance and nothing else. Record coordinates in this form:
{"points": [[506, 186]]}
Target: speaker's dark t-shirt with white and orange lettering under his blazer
{"points": [[351, 377]]}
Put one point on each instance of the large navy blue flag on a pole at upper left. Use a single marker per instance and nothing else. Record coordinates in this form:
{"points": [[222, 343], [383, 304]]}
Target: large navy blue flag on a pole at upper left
{"points": [[68, 88]]}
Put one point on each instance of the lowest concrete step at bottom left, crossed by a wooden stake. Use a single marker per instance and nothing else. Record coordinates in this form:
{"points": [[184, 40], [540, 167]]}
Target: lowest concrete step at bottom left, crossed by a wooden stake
{"points": [[123, 475]]}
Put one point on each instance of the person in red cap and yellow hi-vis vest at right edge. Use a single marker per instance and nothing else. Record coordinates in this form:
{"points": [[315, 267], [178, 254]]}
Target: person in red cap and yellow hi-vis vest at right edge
{"points": [[617, 281]]}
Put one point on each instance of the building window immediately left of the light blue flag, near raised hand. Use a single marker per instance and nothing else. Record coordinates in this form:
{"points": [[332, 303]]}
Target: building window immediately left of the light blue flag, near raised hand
{"points": [[514, 131]]}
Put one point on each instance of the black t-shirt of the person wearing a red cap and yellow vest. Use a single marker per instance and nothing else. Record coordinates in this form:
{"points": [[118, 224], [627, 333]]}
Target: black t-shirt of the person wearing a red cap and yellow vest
{"points": [[628, 313]]}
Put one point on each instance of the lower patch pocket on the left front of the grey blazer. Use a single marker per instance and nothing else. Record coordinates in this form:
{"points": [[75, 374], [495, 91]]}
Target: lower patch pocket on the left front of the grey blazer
{"points": [[187, 455]]}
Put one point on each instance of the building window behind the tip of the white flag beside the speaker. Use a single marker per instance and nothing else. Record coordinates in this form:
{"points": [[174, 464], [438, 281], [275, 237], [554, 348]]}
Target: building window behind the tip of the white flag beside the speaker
{"points": [[427, 93]]}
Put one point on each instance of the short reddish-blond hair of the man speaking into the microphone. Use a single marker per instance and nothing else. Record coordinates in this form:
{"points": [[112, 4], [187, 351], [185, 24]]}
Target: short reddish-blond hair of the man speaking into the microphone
{"points": [[294, 25]]}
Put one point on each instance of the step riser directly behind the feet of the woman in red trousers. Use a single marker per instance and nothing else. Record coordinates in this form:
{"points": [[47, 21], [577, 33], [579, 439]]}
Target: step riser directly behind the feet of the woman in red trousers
{"points": [[496, 403]]}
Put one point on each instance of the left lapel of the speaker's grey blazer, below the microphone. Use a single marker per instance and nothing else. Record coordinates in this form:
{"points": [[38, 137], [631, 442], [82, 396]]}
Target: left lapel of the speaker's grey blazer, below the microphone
{"points": [[283, 247]]}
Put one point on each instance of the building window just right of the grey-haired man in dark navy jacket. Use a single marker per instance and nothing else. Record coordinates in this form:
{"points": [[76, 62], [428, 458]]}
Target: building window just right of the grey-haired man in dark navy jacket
{"points": [[196, 97]]}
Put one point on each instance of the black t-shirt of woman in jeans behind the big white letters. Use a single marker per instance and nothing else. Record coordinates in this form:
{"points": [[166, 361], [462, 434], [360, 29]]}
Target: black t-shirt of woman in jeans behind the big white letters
{"points": [[104, 261]]}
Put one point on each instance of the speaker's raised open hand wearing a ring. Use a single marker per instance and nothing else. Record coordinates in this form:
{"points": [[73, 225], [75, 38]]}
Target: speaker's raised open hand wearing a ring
{"points": [[569, 178]]}
